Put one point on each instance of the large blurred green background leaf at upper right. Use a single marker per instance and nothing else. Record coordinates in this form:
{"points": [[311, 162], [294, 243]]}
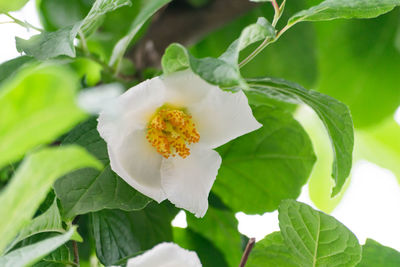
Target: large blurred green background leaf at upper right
{"points": [[367, 79]]}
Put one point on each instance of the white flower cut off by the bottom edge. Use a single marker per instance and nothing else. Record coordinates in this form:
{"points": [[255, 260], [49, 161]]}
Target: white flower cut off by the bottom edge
{"points": [[166, 255]]}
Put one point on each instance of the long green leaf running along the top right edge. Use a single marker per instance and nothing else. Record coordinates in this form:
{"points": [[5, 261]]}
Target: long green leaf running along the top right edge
{"points": [[346, 9]]}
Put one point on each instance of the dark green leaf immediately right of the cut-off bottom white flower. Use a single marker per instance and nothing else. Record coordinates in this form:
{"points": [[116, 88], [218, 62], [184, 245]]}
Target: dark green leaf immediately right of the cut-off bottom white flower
{"points": [[209, 255]]}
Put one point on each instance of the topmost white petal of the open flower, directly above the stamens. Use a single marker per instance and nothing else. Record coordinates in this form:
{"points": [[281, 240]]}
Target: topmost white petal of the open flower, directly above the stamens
{"points": [[185, 88]]}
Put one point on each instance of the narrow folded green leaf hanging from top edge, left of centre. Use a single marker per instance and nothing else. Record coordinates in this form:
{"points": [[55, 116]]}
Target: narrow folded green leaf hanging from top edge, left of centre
{"points": [[147, 9]]}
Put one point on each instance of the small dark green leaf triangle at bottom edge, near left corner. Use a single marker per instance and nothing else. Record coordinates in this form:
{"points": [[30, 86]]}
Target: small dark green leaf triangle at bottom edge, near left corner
{"points": [[60, 257]]}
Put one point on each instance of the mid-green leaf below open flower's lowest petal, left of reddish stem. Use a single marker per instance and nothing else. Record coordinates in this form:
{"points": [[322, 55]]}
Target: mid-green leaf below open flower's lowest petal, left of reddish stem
{"points": [[220, 228]]}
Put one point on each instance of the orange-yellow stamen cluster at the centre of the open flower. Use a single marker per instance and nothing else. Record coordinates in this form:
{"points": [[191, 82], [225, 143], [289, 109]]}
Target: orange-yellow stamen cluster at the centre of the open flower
{"points": [[171, 131]]}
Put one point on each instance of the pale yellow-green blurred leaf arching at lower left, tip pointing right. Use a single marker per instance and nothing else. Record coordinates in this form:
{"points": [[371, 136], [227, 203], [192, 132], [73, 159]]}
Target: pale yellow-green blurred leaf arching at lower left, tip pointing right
{"points": [[32, 181]]}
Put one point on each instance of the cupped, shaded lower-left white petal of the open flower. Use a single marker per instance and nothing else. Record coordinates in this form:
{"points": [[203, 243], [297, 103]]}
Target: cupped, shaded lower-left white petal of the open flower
{"points": [[138, 163]]}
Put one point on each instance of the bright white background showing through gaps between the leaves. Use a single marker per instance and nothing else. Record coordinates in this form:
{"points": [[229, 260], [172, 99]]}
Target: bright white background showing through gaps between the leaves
{"points": [[369, 208]]}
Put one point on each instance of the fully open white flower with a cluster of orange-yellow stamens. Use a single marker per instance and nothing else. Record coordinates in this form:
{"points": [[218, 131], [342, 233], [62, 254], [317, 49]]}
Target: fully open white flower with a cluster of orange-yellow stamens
{"points": [[161, 138]]}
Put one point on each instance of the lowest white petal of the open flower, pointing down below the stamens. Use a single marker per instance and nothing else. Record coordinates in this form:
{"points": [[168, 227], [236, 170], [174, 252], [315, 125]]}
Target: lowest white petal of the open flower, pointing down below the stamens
{"points": [[187, 182]]}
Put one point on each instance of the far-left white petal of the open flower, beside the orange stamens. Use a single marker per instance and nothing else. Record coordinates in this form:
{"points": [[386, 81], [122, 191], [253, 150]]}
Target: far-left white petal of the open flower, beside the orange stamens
{"points": [[131, 111]]}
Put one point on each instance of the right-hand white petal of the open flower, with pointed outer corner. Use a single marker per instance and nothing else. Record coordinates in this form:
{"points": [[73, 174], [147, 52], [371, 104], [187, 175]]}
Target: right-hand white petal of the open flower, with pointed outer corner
{"points": [[223, 116]]}
